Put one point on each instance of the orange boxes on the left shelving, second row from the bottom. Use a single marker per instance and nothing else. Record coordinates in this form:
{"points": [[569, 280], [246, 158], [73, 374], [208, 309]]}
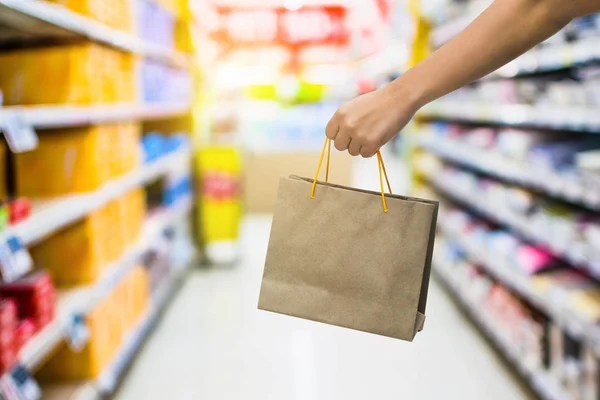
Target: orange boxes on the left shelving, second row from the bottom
{"points": [[78, 254]]}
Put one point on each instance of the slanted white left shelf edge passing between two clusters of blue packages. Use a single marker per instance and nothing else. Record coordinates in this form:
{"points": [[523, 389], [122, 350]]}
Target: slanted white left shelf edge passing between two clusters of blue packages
{"points": [[51, 216]]}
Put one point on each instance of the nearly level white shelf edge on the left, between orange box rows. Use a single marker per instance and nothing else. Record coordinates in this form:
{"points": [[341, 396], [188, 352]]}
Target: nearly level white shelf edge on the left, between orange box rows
{"points": [[80, 115]]}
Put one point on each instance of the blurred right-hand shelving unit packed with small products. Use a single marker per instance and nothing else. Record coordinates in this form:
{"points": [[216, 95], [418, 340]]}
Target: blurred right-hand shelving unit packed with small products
{"points": [[486, 177]]}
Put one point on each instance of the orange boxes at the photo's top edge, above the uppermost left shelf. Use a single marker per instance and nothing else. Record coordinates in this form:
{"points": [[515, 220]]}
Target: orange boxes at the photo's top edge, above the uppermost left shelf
{"points": [[115, 13]]}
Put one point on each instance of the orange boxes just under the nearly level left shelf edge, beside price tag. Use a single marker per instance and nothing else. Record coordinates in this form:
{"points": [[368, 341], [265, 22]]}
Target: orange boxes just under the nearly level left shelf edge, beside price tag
{"points": [[66, 161]]}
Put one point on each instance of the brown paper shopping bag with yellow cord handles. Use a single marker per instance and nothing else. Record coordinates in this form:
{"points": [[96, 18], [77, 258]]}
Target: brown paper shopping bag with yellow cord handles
{"points": [[348, 257]]}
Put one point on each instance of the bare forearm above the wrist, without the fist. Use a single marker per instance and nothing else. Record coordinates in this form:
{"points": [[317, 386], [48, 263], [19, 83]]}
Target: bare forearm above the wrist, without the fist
{"points": [[507, 29]]}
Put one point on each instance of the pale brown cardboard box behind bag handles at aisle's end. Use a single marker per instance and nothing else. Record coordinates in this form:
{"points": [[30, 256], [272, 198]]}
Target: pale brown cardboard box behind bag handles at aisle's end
{"points": [[263, 170]]}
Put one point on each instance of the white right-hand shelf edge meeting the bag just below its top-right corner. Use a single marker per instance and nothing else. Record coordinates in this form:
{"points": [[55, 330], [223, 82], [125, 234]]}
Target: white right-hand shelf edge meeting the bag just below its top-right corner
{"points": [[562, 315]]}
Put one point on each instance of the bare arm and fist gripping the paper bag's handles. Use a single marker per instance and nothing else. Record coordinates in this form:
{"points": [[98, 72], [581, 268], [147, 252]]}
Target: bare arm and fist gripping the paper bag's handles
{"points": [[507, 29]]}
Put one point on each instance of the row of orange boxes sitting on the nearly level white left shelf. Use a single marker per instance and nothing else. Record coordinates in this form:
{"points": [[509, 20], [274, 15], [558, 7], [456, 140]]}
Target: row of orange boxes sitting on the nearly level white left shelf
{"points": [[68, 74]]}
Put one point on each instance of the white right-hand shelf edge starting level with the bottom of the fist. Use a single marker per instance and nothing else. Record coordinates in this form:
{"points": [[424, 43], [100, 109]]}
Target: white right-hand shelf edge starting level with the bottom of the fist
{"points": [[574, 189]]}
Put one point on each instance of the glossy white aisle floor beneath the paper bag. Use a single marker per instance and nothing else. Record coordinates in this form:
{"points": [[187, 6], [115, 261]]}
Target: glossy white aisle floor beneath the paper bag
{"points": [[214, 344]]}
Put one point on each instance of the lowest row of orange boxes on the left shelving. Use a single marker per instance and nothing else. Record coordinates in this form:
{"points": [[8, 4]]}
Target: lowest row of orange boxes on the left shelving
{"points": [[109, 323]]}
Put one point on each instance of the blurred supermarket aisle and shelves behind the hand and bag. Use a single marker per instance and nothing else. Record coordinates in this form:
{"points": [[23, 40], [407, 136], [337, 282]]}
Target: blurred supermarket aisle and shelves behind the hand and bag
{"points": [[143, 142]]}
